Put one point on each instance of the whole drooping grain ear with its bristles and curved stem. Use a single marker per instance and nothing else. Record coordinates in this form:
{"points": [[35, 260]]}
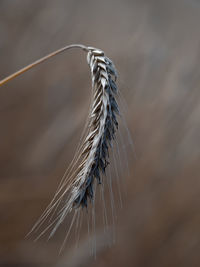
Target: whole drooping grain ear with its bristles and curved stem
{"points": [[92, 156]]}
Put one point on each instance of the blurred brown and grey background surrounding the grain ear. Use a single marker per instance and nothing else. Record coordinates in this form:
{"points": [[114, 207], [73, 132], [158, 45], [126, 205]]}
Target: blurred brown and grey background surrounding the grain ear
{"points": [[155, 45]]}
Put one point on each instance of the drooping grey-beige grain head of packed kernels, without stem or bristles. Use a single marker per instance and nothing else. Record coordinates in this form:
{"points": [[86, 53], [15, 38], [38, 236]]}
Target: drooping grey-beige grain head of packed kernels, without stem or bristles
{"points": [[103, 125]]}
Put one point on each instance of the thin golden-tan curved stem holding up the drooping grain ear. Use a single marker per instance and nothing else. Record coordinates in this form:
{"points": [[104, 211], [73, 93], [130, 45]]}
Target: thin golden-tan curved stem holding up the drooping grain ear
{"points": [[41, 60]]}
